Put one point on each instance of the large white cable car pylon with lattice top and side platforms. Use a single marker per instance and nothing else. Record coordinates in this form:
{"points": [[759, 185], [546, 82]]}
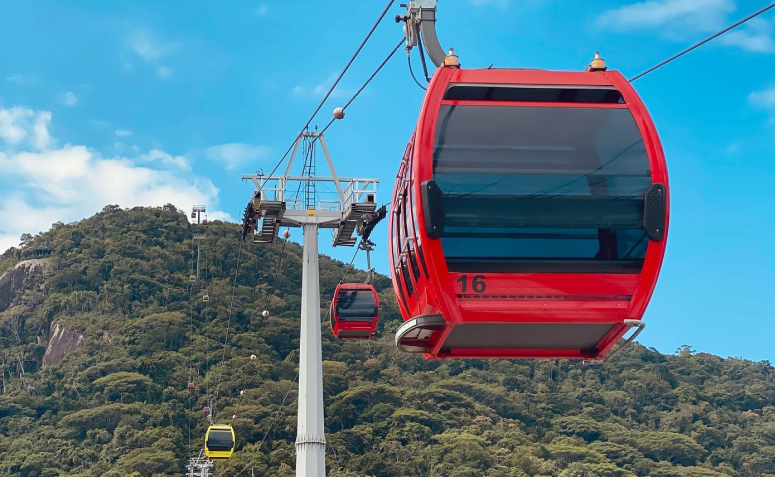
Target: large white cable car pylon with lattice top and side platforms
{"points": [[272, 207]]}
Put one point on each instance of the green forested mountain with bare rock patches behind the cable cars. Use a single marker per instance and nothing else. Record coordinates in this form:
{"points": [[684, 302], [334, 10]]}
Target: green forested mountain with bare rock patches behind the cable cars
{"points": [[122, 329]]}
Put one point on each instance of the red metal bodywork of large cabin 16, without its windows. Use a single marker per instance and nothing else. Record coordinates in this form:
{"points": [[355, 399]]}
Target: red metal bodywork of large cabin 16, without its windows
{"points": [[556, 297]]}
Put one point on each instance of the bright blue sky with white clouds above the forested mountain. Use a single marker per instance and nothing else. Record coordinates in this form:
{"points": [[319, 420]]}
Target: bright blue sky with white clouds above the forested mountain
{"points": [[145, 102]]}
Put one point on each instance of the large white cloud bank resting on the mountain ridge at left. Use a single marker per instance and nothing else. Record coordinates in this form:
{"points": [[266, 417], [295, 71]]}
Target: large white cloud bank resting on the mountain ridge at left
{"points": [[80, 181]]}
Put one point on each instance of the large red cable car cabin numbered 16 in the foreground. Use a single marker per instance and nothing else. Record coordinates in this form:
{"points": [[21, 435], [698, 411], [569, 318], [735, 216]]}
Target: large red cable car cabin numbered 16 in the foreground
{"points": [[529, 215]]}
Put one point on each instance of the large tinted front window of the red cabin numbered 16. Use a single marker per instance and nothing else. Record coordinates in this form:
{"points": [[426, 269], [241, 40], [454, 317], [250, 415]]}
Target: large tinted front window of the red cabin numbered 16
{"points": [[536, 189]]}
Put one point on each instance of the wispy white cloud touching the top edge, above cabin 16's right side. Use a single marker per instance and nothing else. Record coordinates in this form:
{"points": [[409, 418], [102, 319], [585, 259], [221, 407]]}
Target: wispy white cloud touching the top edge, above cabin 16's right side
{"points": [[668, 15]]}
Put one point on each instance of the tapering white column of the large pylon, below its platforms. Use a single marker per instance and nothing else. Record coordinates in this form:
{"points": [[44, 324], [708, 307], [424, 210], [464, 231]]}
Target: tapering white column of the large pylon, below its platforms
{"points": [[310, 437]]}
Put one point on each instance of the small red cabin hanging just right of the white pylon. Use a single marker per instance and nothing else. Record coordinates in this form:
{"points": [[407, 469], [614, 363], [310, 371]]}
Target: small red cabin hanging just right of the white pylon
{"points": [[354, 311]]}
